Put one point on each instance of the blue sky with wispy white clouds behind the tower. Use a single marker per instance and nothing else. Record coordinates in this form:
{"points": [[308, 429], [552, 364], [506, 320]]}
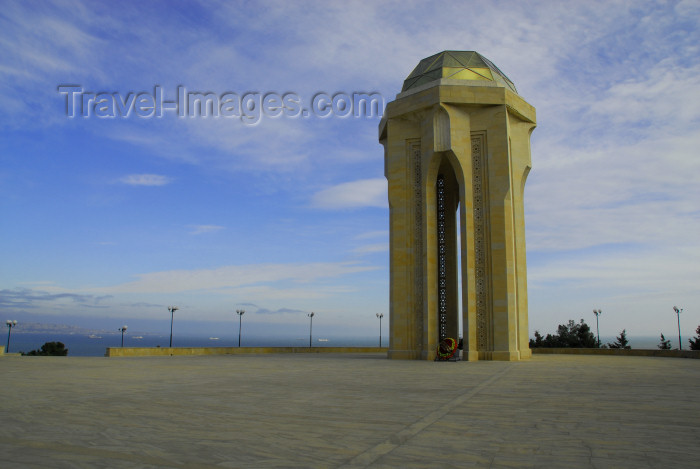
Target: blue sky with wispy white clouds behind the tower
{"points": [[114, 219]]}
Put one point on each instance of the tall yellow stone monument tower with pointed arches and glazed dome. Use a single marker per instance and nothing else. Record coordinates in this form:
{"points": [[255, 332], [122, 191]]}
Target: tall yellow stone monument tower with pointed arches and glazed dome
{"points": [[456, 156]]}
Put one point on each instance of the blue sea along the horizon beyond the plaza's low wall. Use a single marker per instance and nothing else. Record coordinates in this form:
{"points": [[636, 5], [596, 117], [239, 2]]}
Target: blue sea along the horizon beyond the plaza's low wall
{"points": [[95, 345]]}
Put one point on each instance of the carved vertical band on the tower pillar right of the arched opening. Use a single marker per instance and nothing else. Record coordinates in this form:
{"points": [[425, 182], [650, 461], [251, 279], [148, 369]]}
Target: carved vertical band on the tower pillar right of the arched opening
{"points": [[480, 194]]}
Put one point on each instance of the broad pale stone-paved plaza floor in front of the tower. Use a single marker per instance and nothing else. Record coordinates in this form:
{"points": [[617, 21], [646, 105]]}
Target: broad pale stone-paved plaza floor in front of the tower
{"points": [[351, 410]]}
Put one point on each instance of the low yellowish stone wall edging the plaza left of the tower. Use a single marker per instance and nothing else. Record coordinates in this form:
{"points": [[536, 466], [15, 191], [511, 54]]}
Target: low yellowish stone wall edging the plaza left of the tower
{"points": [[166, 351]]}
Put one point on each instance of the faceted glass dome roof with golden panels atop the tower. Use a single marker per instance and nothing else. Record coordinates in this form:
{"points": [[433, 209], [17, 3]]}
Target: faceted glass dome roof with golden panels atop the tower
{"points": [[456, 65]]}
